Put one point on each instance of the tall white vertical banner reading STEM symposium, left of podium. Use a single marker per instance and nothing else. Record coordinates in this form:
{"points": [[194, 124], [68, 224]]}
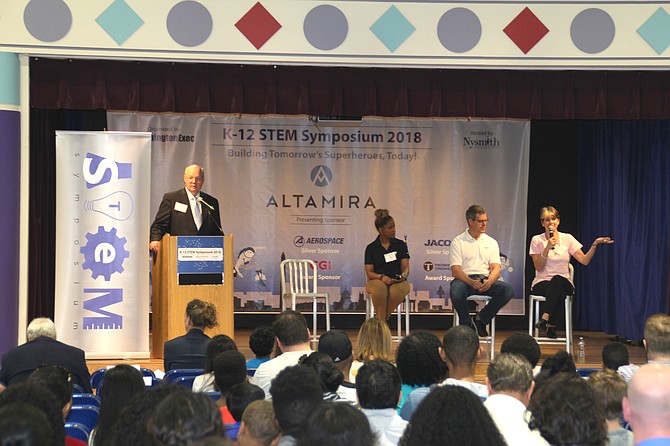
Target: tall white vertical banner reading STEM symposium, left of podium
{"points": [[102, 230]]}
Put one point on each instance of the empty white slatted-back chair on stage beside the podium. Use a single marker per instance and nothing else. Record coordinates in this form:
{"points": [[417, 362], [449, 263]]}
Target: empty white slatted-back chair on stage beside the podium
{"points": [[299, 280]]}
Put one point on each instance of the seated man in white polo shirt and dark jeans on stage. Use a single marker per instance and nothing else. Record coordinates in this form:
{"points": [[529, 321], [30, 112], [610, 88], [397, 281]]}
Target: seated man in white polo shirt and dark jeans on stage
{"points": [[475, 264]]}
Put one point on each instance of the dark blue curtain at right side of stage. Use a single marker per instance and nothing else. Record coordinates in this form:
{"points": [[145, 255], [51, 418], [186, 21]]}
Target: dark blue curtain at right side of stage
{"points": [[624, 192]]}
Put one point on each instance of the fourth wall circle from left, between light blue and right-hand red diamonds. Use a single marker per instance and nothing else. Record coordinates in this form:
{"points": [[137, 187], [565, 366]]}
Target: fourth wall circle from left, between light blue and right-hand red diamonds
{"points": [[459, 30]]}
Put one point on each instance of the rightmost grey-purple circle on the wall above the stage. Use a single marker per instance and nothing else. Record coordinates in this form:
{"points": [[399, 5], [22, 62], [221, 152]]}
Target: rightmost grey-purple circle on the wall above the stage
{"points": [[592, 30]]}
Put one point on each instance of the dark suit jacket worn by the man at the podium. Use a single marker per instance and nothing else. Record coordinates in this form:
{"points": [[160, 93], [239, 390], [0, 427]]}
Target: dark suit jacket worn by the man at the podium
{"points": [[169, 220]]}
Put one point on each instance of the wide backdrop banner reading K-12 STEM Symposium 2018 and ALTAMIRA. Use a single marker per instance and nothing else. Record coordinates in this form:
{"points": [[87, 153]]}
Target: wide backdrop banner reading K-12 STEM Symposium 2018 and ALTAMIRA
{"points": [[307, 187]]}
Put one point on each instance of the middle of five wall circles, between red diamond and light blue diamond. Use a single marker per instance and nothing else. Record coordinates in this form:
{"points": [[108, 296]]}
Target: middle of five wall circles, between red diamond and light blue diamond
{"points": [[325, 27]]}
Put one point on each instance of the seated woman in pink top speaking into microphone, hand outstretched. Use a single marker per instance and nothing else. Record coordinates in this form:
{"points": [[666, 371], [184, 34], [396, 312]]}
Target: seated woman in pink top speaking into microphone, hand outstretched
{"points": [[551, 253]]}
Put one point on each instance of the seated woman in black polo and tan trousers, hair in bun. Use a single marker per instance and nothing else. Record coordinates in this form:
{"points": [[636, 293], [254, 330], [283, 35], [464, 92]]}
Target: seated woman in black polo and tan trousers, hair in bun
{"points": [[386, 267]]}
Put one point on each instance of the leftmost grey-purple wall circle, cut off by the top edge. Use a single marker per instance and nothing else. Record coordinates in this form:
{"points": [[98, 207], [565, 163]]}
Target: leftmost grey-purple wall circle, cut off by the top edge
{"points": [[47, 20]]}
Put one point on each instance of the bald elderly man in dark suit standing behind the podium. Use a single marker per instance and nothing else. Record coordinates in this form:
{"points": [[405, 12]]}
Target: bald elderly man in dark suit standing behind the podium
{"points": [[187, 211]]}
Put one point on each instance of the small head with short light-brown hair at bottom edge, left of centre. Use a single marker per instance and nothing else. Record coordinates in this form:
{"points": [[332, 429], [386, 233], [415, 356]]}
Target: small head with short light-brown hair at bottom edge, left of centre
{"points": [[258, 427]]}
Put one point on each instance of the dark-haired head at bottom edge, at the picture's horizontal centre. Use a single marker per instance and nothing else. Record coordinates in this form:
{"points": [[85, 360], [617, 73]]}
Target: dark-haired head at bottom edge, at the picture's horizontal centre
{"points": [[337, 424]]}
